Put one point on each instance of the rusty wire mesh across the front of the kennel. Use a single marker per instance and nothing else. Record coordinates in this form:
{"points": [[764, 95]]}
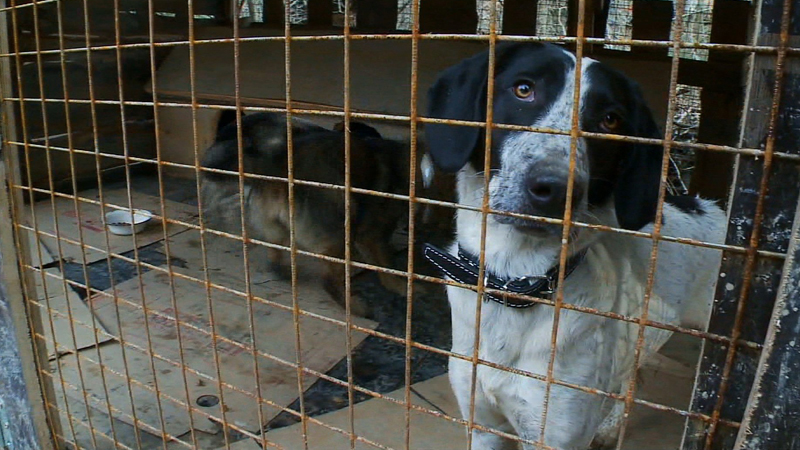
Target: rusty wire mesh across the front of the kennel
{"points": [[553, 29]]}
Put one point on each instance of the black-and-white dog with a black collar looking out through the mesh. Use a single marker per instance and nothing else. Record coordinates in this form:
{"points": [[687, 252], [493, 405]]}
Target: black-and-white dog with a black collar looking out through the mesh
{"points": [[615, 184]]}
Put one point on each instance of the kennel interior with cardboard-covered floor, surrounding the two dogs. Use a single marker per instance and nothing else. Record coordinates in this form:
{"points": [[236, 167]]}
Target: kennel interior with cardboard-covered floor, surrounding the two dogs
{"points": [[177, 337]]}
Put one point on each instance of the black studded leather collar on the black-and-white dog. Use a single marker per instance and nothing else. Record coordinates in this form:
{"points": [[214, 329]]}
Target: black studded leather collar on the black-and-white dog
{"points": [[464, 269]]}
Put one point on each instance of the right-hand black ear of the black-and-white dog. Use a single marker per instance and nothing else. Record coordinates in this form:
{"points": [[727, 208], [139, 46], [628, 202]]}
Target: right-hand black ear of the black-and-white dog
{"points": [[636, 193]]}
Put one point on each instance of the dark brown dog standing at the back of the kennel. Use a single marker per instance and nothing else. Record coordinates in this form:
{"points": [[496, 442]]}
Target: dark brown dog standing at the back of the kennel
{"points": [[376, 164]]}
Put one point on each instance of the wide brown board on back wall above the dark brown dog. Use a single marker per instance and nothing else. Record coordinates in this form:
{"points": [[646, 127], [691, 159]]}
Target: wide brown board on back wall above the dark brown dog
{"points": [[380, 70]]}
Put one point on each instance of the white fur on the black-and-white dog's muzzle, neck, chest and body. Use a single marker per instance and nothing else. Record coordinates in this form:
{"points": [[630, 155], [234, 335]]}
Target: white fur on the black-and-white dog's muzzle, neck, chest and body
{"points": [[591, 351]]}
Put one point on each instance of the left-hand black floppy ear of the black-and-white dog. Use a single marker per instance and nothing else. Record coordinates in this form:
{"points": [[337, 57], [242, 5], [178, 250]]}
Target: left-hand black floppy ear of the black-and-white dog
{"points": [[459, 94]]}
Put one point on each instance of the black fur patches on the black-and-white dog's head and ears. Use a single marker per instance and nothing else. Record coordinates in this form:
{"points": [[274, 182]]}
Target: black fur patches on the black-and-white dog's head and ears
{"points": [[610, 103]]}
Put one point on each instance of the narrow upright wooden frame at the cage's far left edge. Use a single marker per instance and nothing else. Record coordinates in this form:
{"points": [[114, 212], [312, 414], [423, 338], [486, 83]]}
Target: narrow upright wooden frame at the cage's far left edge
{"points": [[25, 393]]}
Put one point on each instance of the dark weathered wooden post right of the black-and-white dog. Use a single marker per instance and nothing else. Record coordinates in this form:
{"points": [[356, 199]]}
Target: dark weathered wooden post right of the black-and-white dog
{"points": [[774, 236]]}
